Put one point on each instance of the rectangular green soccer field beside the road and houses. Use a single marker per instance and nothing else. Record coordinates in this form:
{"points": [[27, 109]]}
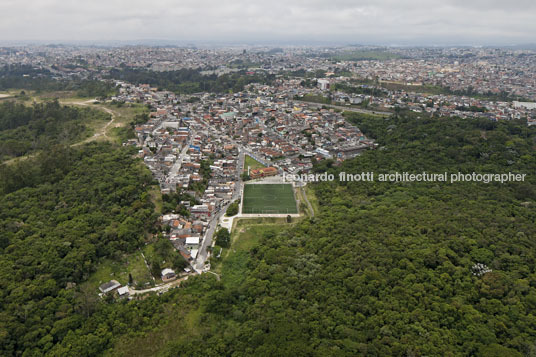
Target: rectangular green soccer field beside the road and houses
{"points": [[269, 198]]}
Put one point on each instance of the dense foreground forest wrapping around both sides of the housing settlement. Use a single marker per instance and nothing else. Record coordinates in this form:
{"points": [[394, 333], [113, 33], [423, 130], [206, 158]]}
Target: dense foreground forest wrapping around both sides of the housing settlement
{"points": [[382, 269]]}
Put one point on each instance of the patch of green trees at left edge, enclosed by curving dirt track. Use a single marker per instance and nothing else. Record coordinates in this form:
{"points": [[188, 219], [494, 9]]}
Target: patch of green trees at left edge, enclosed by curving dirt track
{"points": [[25, 129]]}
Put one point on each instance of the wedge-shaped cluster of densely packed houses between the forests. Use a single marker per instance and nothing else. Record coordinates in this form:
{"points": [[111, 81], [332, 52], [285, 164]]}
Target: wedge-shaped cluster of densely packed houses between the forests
{"points": [[195, 145]]}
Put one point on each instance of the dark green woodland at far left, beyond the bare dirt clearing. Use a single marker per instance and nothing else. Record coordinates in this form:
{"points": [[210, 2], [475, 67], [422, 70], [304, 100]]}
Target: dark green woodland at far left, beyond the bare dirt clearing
{"points": [[42, 80]]}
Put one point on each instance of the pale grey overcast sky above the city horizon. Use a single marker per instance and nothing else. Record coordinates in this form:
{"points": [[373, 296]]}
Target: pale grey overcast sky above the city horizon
{"points": [[287, 21]]}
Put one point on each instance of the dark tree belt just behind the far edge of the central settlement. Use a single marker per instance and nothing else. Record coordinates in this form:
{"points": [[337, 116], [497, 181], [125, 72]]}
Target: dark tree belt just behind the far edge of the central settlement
{"points": [[188, 81]]}
